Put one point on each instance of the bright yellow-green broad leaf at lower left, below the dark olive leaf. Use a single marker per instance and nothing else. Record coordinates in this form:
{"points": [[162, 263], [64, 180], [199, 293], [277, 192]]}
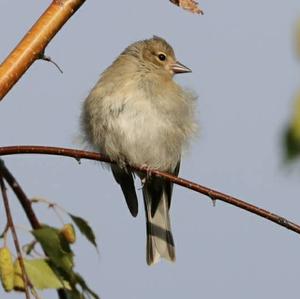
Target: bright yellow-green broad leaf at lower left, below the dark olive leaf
{"points": [[42, 276]]}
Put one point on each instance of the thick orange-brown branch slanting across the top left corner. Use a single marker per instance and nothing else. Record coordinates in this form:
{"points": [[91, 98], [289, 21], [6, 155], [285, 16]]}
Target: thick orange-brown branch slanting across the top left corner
{"points": [[35, 41]]}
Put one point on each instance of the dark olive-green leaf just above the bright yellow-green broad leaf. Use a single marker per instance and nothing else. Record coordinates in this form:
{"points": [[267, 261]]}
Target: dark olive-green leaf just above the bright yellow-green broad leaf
{"points": [[55, 247]]}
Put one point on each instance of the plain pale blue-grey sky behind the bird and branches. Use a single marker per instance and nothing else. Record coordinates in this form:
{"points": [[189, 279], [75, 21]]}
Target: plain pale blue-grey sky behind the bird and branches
{"points": [[245, 73]]}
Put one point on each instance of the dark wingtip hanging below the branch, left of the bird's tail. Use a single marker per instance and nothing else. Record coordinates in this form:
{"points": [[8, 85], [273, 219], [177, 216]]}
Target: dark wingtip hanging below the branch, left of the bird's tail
{"points": [[124, 178]]}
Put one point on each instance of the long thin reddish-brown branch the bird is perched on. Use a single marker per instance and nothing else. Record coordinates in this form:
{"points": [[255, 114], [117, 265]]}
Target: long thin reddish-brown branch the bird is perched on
{"points": [[213, 194]]}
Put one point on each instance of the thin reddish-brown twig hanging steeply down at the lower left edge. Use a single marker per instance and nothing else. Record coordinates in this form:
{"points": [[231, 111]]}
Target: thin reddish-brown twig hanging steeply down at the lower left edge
{"points": [[15, 237]]}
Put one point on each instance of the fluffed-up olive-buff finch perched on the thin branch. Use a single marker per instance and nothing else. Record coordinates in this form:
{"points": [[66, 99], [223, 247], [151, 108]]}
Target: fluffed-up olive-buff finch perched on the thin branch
{"points": [[137, 115]]}
